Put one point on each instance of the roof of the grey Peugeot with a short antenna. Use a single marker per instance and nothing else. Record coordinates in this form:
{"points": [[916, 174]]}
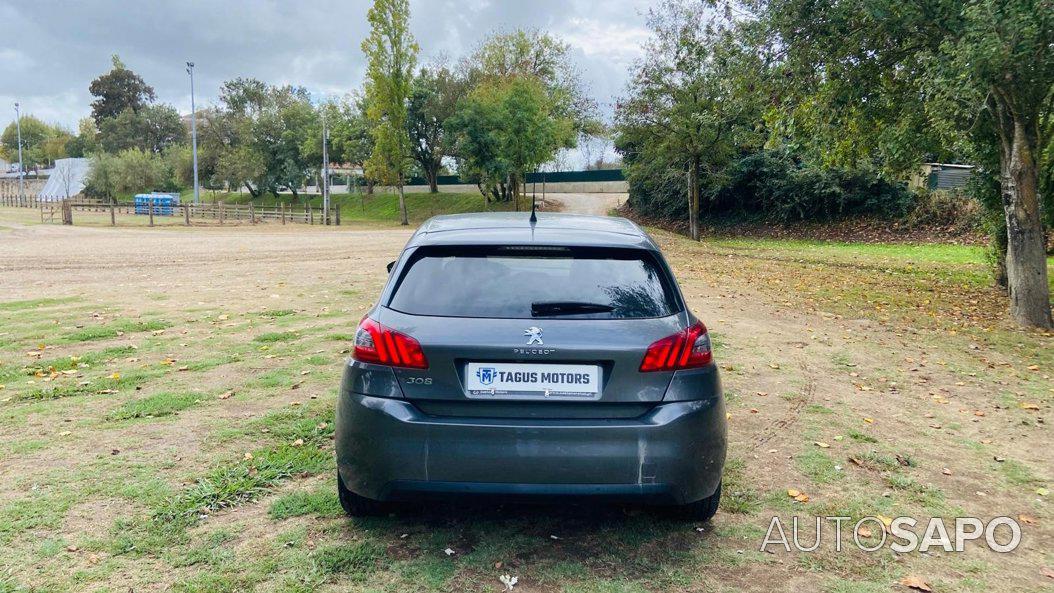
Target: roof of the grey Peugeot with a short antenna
{"points": [[516, 229]]}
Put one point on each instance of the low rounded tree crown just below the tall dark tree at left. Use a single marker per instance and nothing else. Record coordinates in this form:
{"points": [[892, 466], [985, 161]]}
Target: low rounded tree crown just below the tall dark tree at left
{"points": [[152, 129]]}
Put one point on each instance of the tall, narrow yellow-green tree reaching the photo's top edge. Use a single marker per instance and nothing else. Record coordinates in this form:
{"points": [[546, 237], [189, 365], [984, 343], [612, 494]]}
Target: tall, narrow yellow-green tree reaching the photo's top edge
{"points": [[392, 55]]}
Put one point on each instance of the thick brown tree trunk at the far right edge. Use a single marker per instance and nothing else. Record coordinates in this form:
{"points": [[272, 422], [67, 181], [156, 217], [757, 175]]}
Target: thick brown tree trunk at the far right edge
{"points": [[1026, 258]]}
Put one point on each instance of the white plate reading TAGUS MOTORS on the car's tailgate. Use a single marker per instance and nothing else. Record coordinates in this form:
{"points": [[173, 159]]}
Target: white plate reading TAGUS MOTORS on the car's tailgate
{"points": [[492, 380]]}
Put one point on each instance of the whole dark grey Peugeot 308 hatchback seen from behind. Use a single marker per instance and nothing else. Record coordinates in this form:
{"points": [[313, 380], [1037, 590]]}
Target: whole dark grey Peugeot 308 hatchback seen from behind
{"points": [[531, 360]]}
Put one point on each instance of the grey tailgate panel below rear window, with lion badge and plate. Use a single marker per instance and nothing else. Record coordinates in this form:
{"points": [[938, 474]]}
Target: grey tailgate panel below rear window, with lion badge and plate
{"points": [[491, 360]]}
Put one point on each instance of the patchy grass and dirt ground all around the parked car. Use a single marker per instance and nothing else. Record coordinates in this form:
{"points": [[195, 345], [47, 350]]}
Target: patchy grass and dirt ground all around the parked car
{"points": [[864, 417]]}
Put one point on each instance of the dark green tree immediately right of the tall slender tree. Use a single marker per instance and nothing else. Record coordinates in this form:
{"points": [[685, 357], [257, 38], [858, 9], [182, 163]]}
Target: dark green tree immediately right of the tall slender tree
{"points": [[434, 100]]}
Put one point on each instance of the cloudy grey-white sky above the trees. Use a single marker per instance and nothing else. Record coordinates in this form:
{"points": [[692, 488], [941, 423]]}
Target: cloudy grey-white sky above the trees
{"points": [[51, 51]]}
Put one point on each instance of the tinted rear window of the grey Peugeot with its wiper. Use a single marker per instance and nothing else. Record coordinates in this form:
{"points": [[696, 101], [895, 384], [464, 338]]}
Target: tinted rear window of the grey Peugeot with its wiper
{"points": [[528, 283]]}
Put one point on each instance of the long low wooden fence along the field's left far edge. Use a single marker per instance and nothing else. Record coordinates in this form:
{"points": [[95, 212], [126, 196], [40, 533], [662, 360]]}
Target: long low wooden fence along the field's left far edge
{"points": [[188, 213]]}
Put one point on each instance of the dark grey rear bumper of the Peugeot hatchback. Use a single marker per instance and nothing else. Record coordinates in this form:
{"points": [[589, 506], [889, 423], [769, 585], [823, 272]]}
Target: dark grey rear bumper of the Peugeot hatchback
{"points": [[387, 449]]}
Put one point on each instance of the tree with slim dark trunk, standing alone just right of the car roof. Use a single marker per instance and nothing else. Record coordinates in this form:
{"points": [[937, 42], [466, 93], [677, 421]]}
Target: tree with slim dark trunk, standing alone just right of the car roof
{"points": [[690, 109]]}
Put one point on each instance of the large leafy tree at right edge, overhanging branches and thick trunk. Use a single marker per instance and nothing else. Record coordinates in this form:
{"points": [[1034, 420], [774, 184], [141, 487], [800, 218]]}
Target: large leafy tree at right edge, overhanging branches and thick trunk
{"points": [[888, 72]]}
